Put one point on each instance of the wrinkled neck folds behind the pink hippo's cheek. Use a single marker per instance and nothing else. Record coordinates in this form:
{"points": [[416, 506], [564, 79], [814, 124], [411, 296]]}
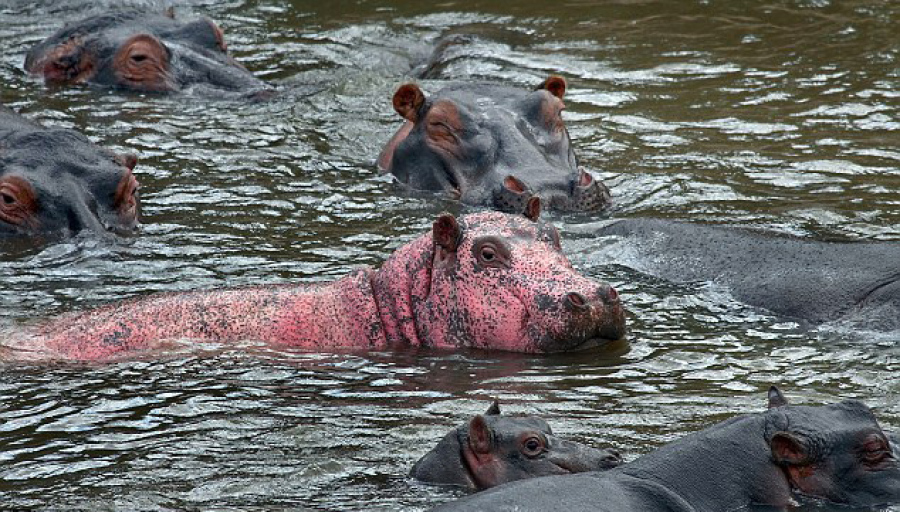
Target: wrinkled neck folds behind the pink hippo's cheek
{"points": [[399, 285]]}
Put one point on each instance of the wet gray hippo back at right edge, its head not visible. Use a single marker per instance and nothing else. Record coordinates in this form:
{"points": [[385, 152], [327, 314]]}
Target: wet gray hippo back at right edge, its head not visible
{"points": [[810, 281]]}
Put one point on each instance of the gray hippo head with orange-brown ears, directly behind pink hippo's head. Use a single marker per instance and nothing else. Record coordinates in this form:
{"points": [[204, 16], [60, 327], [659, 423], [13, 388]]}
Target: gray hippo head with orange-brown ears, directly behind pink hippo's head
{"points": [[493, 145]]}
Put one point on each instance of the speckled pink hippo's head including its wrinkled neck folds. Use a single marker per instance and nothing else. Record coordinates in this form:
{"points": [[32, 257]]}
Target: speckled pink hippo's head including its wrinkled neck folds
{"points": [[495, 281]]}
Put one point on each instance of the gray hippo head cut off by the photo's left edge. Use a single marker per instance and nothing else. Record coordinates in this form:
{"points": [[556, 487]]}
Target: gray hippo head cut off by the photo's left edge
{"points": [[55, 182]]}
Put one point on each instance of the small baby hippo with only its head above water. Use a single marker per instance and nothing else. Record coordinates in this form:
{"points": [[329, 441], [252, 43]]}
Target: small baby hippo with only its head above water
{"points": [[492, 449]]}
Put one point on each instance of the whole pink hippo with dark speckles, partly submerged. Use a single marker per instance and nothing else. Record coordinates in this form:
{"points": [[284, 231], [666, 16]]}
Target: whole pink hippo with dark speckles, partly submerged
{"points": [[489, 280]]}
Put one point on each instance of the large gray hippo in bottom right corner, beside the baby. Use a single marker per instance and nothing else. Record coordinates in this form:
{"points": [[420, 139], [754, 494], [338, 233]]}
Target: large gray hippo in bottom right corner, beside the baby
{"points": [[834, 453]]}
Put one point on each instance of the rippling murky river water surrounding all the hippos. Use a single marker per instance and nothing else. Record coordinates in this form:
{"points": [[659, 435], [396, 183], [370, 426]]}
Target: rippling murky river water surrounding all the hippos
{"points": [[774, 114]]}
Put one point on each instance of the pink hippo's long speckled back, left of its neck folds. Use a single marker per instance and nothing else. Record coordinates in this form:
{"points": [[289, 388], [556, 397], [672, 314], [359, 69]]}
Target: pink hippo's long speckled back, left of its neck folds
{"points": [[338, 314]]}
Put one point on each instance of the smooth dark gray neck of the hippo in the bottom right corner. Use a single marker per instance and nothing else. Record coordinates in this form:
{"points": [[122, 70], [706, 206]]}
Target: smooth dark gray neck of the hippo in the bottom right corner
{"points": [[723, 468]]}
